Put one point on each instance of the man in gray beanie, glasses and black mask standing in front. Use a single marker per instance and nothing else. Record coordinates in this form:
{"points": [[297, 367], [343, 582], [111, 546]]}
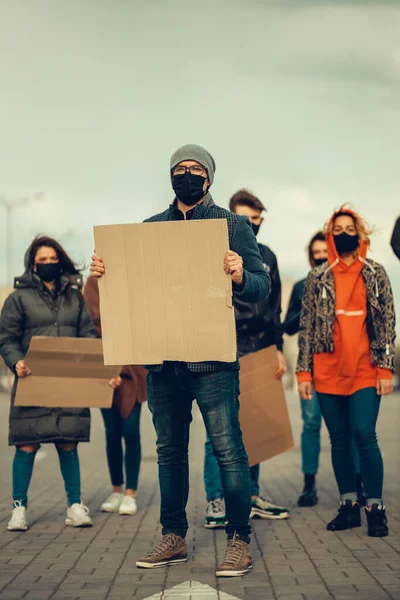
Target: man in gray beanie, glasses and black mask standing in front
{"points": [[173, 386]]}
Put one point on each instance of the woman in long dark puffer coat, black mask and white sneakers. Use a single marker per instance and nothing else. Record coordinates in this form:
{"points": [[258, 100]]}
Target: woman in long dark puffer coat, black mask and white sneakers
{"points": [[47, 301]]}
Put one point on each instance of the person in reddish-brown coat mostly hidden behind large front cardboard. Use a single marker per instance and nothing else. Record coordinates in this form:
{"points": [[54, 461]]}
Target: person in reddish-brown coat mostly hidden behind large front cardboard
{"points": [[122, 420]]}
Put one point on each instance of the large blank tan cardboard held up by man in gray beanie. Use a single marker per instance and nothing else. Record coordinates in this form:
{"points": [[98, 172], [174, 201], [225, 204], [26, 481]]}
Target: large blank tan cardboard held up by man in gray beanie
{"points": [[165, 295]]}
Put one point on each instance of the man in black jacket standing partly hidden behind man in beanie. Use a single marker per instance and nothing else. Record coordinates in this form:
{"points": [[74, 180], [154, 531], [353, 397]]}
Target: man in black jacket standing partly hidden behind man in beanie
{"points": [[258, 326]]}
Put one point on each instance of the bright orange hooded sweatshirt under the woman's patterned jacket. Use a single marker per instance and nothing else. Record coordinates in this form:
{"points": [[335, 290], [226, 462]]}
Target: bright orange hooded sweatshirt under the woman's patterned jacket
{"points": [[349, 368]]}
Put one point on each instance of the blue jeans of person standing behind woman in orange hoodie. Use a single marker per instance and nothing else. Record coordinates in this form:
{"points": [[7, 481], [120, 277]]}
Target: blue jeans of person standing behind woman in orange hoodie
{"points": [[310, 437]]}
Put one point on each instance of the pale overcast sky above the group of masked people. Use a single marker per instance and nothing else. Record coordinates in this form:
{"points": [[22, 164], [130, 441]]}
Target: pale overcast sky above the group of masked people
{"points": [[297, 100]]}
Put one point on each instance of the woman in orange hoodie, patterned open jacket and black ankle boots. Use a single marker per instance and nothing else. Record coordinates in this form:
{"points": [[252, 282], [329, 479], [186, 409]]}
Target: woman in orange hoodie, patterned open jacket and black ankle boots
{"points": [[346, 351]]}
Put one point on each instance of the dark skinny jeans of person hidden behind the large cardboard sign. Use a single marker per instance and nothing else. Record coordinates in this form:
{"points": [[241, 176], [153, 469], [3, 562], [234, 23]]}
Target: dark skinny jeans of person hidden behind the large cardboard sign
{"points": [[117, 428]]}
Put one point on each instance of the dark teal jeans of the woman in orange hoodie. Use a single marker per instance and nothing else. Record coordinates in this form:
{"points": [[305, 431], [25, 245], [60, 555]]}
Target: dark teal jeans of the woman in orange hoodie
{"points": [[348, 417]]}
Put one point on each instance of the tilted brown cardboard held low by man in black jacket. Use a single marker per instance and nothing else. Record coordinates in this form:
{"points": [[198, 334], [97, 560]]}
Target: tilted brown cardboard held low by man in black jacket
{"points": [[264, 416]]}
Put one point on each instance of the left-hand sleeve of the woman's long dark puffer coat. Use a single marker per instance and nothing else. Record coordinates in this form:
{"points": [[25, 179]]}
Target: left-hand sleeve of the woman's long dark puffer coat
{"points": [[11, 332]]}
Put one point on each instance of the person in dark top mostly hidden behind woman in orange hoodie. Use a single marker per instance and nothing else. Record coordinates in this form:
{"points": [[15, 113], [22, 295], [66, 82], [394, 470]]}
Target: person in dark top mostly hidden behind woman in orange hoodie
{"points": [[317, 252]]}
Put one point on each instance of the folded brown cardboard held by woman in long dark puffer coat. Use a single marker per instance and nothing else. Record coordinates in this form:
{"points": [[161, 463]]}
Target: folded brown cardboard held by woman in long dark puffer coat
{"points": [[66, 372]]}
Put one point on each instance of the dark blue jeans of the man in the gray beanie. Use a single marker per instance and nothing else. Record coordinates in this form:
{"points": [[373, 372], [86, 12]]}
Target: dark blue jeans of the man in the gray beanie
{"points": [[170, 395]]}
